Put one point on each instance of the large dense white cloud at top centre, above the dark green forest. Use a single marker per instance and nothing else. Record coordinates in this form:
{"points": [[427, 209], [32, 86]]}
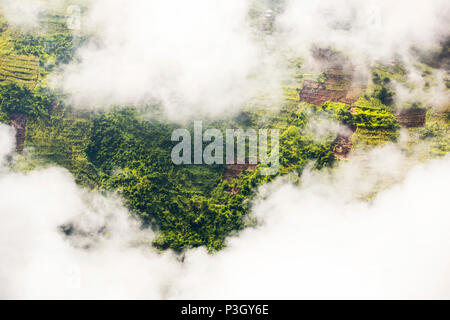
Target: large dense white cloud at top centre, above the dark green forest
{"points": [[194, 56]]}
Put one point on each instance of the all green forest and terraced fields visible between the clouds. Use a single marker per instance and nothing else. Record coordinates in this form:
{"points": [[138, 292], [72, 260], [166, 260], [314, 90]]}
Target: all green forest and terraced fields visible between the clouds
{"points": [[119, 151]]}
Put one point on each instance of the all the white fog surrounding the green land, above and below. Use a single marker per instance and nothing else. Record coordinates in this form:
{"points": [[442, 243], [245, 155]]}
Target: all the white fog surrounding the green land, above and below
{"points": [[374, 227]]}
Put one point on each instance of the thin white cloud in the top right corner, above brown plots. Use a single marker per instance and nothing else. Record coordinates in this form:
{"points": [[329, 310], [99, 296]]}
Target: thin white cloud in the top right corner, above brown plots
{"points": [[368, 30]]}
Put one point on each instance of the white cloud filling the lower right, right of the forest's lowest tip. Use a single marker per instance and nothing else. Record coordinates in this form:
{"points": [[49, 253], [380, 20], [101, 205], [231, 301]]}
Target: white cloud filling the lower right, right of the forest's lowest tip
{"points": [[319, 242]]}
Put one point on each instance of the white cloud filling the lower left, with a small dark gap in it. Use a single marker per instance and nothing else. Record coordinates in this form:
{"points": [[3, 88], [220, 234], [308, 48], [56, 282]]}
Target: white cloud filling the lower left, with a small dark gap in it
{"points": [[107, 257]]}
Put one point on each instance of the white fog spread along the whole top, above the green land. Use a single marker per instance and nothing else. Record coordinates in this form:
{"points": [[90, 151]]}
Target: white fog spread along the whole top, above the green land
{"points": [[208, 59]]}
